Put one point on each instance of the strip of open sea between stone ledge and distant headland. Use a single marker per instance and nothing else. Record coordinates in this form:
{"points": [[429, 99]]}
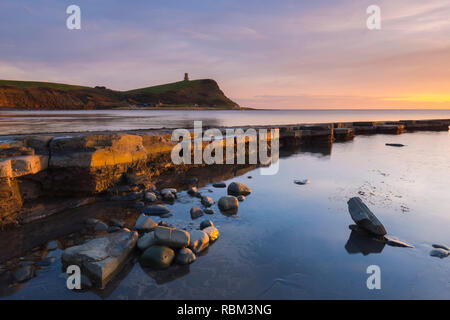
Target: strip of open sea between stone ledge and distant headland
{"points": [[17, 122]]}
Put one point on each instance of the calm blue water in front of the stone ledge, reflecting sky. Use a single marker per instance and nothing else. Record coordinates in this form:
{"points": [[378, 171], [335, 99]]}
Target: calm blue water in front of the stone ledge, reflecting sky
{"points": [[293, 242]]}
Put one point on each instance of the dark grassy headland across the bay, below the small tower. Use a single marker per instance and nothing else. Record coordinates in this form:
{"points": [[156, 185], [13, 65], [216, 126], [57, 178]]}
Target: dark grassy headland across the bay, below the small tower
{"points": [[46, 96]]}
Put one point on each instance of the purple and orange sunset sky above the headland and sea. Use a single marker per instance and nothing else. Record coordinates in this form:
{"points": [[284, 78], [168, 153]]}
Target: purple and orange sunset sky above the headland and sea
{"points": [[289, 54]]}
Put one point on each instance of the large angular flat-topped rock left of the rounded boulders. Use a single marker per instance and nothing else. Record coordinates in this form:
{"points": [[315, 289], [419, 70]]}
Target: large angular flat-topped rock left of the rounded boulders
{"points": [[101, 258]]}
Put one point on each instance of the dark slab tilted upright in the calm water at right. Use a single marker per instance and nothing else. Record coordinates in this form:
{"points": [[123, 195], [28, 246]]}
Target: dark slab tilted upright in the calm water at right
{"points": [[364, 218]]}
